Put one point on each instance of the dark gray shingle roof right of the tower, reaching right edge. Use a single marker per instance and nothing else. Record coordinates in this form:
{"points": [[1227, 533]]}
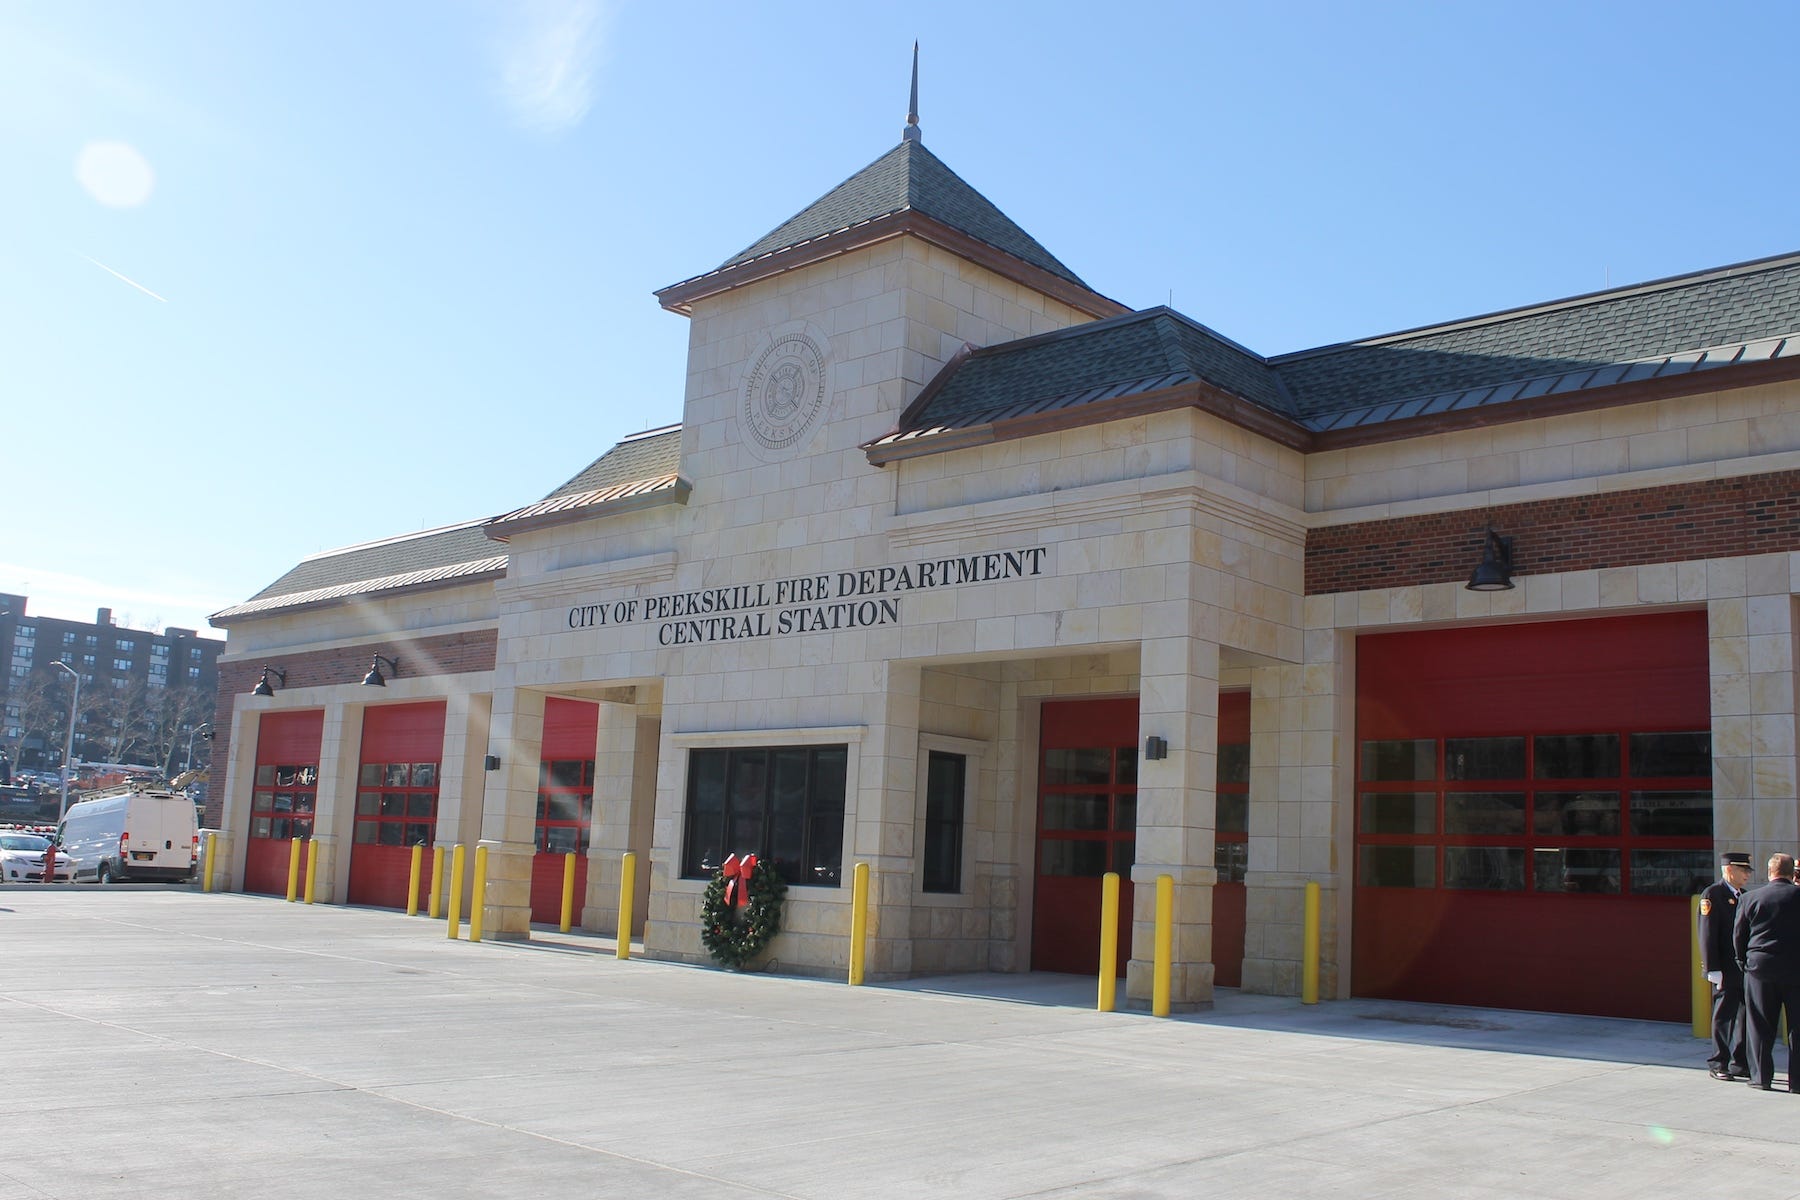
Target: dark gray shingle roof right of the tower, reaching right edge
{"points": [[1691, 323]]}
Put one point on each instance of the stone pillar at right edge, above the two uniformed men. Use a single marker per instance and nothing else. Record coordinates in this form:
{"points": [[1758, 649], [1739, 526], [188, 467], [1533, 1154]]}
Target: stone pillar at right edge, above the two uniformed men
{"points": [[1754, 713]]}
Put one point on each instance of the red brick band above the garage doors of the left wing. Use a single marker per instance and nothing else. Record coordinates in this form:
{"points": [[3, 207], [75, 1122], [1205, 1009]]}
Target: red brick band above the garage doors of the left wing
{"points": [[454, 654]]}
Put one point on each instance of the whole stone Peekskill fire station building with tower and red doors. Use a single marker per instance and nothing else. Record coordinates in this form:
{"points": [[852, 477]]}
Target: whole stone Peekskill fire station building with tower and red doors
{"points": [[964, 571]]}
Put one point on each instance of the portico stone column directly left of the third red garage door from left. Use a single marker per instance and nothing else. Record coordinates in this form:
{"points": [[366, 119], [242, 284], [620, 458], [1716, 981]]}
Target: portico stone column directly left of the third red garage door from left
{"points": [[508, 818]]}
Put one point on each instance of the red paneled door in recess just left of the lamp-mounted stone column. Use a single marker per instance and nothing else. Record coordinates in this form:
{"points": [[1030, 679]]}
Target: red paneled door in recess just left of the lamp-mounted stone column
{"points": [[1086, 827]]}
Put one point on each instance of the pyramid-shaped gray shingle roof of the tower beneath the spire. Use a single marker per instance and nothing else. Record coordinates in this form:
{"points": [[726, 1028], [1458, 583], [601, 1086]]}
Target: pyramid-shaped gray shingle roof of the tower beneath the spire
{"points": [[906, 177]]}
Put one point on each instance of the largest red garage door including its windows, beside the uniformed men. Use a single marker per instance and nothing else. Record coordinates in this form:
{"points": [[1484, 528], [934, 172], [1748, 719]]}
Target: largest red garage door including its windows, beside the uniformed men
{"points": [[1534, 809]]}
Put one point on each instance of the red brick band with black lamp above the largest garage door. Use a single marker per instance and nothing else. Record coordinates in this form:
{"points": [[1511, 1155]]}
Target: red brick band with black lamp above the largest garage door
{"points": [[1713, 519]]}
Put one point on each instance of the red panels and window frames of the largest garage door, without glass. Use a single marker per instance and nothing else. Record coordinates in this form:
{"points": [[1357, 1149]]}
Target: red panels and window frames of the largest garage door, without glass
{"points": [[1608, 954]]}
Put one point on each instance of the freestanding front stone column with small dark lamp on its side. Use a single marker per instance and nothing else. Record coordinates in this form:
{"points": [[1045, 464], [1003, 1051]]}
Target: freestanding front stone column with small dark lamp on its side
{"points": [[1176, 819]]}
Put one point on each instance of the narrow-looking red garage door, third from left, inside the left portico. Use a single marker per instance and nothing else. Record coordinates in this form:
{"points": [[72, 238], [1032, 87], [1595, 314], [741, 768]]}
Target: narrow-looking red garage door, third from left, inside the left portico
{"points": [[566, 805]]}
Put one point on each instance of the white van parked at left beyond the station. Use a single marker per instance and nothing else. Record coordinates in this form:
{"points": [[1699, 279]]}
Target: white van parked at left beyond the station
{"points": [[132, 837]]}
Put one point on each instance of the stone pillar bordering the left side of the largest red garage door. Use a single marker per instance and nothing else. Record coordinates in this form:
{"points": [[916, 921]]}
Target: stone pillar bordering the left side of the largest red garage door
{"points": [[1302, 749]]}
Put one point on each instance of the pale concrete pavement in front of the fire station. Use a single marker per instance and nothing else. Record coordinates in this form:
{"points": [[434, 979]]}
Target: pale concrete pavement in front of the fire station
{"points": [[165, 1043]]}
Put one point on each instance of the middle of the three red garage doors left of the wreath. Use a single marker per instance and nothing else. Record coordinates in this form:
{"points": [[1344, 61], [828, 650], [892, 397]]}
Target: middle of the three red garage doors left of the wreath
{"points": [[397, 800]]}
